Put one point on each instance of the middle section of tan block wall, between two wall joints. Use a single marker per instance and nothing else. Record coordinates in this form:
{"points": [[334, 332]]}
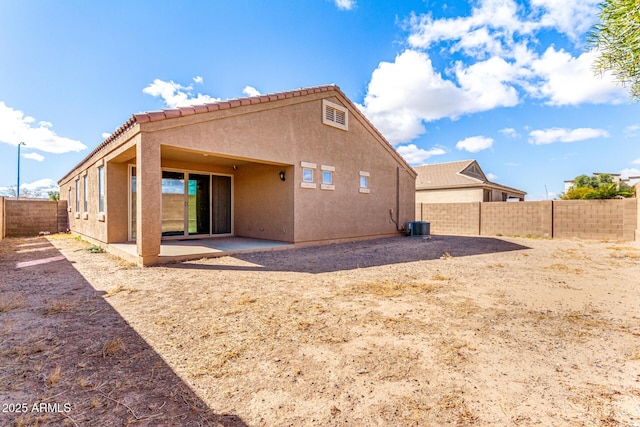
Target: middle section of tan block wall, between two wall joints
{"points": [[523, 219]]}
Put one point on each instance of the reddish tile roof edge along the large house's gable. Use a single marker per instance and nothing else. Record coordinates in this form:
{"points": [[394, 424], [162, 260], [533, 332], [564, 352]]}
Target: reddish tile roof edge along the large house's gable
{"points": [[171, 113]]}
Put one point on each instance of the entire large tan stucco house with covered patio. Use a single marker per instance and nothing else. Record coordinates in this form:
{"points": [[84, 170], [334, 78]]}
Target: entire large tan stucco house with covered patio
{"points": [[303, 167]]}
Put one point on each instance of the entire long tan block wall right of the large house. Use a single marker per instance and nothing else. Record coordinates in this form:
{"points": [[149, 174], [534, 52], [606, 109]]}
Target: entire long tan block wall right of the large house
{"points": [[587, 219]]}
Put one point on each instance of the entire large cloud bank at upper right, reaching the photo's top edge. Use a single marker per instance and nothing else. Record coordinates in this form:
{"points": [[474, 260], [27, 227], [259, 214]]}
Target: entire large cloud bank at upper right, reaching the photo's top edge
{"points": [[496, 61]]}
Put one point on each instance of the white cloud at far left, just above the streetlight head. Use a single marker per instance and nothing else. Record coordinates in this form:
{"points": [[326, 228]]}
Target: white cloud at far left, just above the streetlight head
{"points": [[15, 127]]}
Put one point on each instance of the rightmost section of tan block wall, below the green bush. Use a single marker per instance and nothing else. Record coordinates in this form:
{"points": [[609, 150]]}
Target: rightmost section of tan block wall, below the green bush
{"points": [[595, 219]]}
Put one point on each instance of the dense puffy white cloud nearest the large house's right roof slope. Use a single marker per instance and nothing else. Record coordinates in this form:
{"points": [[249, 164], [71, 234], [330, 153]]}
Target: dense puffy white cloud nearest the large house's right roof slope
{"points": [[407, 92]]}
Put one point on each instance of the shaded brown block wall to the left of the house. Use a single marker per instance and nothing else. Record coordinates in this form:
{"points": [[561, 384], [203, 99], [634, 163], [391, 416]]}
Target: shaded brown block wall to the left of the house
{"points": [[25, 218]]}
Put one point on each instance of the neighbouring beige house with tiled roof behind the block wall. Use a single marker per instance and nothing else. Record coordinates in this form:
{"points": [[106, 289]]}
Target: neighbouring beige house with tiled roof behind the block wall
{"points": [[462, 181]]}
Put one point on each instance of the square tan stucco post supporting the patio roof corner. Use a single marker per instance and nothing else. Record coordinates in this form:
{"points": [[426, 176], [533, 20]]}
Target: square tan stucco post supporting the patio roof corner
{"points": [[149, 198]]}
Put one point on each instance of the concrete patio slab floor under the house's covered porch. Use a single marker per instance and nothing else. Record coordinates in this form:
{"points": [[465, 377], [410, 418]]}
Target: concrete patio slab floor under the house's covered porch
{"points": [[182, 250]]}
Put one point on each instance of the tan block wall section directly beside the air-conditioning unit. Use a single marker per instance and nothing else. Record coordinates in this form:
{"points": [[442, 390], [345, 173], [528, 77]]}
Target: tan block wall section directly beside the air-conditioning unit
{"points": [[451, 218]]}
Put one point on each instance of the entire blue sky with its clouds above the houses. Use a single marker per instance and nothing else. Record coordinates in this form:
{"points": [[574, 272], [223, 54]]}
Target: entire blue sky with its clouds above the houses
{"points": [[508, 83]]}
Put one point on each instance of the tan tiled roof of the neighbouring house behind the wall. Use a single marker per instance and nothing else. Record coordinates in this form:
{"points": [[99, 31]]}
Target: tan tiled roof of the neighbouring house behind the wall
{"points": [[461, 174]]}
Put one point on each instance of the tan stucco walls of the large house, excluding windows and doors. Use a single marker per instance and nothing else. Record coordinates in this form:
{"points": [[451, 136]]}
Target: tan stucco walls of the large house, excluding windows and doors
{"points": [[252, 144]]}
